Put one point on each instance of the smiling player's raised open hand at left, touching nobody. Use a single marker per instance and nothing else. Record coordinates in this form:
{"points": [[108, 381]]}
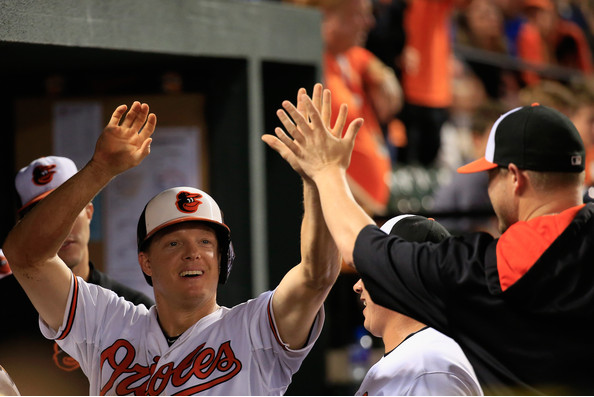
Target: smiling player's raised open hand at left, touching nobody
{"points": [[125, 143]]}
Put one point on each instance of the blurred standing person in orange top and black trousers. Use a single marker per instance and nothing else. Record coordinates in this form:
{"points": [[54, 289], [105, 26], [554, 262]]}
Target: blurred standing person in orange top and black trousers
{"points": [[426, 76]]}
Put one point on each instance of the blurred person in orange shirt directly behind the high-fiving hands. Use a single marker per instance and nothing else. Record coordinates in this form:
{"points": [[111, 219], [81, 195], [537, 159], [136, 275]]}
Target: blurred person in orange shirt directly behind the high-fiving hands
{"points": [[370, 89]]}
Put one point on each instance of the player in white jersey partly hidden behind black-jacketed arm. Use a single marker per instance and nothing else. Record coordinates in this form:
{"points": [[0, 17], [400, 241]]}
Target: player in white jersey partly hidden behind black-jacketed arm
{"points": [[418, 360]]}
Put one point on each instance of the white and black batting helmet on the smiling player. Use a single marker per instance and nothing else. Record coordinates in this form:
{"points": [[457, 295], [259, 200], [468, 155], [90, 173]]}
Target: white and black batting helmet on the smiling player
{"points": [[183, 204]]}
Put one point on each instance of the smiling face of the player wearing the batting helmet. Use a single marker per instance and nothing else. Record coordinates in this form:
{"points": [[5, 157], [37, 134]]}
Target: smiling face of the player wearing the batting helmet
{"points": [[183, 261]]}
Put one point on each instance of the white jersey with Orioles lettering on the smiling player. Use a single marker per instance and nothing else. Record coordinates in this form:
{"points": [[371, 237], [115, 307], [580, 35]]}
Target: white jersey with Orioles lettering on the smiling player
{"points": [[122, 350]]}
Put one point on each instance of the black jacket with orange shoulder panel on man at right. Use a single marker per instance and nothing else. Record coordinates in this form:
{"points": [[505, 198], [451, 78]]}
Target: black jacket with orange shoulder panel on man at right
{"points": [[534, 336]]}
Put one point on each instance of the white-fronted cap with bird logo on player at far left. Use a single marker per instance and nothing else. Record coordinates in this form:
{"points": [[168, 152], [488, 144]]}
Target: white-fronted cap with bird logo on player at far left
{"points": [[41, 177]]}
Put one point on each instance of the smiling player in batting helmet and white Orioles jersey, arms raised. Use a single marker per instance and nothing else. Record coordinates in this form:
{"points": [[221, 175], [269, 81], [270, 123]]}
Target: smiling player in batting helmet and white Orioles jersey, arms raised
{"points": [[186, 343]]}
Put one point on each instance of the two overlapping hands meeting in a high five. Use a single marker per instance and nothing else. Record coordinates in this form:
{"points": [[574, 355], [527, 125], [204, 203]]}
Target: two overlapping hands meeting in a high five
{"points": [[315, 145]]}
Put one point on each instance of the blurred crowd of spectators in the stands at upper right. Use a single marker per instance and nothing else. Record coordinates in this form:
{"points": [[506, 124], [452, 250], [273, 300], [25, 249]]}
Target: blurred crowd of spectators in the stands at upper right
{"points": [[451, 68]]}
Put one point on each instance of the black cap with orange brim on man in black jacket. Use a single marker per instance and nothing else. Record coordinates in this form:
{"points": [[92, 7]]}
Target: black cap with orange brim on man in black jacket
{"points": [[536, 138]]}
